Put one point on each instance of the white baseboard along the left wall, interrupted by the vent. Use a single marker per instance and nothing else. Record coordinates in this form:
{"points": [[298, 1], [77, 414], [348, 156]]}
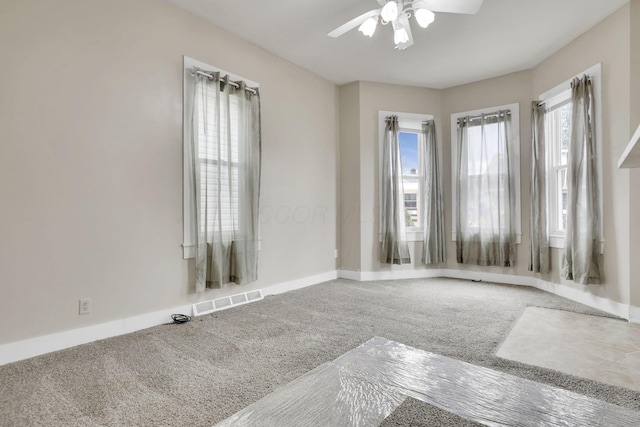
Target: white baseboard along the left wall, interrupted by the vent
{"points": [[20, 350]]}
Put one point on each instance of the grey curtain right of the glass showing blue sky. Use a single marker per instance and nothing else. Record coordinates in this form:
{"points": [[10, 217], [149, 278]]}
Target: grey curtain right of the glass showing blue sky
{"points": [[433, 251]]}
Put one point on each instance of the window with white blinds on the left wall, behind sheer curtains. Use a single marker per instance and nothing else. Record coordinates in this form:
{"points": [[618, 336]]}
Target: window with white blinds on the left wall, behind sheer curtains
{"points": [[212, 162]]}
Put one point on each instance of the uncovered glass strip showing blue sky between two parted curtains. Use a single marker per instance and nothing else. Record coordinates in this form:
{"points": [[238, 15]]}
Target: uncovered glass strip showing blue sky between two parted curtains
{"points": [[409, 158]]}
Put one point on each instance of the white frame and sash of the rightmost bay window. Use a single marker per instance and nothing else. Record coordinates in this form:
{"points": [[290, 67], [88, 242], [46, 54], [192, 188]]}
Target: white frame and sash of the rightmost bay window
{"points": [[554, 97]]}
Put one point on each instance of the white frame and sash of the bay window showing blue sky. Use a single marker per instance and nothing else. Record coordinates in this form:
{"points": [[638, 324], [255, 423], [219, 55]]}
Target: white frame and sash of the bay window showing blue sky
{"points": [[409, 123]]}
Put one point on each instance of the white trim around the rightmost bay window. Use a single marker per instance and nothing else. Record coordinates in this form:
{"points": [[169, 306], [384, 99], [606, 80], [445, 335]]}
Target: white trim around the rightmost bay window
{"points": [[556, 240]]}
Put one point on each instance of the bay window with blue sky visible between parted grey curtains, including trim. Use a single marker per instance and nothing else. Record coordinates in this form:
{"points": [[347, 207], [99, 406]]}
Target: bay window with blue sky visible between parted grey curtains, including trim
{"points": [[411, 154]]}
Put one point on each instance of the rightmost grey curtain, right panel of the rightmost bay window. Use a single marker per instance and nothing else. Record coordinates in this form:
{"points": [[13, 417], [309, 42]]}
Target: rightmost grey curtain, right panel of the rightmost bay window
{"points": [[581, 258]]}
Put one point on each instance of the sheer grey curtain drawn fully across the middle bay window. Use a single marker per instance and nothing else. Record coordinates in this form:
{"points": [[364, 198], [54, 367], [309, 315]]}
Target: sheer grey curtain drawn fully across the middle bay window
{"points": [[485, 191]]}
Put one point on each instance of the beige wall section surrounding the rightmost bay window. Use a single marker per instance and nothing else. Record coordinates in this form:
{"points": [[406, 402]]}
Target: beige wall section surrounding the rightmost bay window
{"points": [[608, 43]]}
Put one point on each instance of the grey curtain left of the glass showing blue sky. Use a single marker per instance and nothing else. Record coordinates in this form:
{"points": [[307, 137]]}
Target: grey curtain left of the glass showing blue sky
{"points": [[395, 249]]}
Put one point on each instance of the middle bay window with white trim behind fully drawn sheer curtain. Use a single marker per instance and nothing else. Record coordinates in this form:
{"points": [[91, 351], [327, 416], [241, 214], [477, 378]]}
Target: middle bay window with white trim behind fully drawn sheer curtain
{"points": [[486, 172]]}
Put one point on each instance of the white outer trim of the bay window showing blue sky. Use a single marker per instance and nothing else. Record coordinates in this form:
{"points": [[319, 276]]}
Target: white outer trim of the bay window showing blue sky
{"points": [[406, 122]]}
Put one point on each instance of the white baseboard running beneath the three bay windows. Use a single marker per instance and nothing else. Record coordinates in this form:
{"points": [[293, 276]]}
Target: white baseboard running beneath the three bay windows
{"points": [[617, 309]]}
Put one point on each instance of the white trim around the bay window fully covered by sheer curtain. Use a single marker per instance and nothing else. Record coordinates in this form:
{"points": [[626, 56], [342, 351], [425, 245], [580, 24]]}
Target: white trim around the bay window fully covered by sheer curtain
{"points": [[515, 131]]}
